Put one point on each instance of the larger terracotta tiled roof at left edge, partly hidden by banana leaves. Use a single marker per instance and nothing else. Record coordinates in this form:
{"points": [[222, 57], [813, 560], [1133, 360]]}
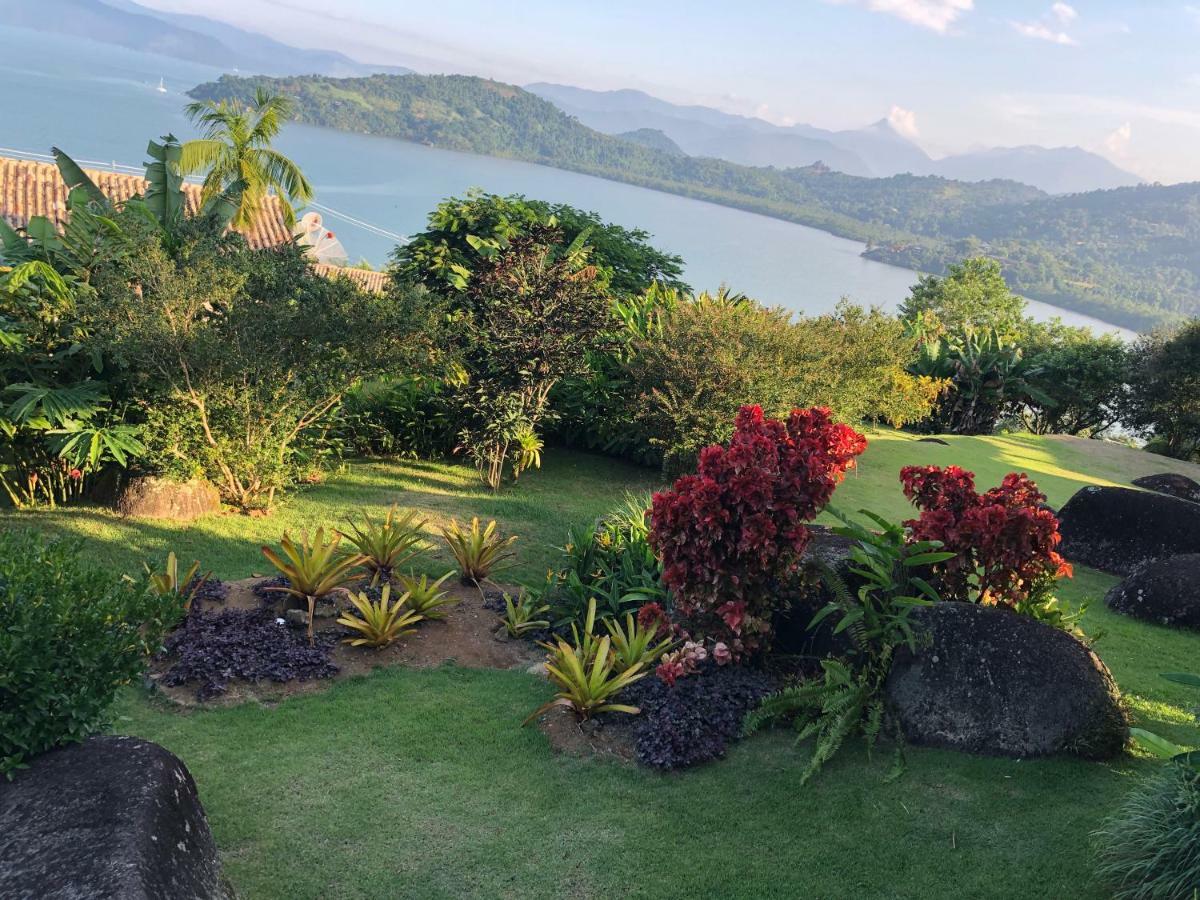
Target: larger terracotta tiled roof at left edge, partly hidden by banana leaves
{"points": [[32, 189]]}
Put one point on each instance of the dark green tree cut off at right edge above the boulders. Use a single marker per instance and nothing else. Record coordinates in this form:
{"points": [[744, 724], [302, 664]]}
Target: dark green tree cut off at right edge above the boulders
{"points": [[1165, 391]]}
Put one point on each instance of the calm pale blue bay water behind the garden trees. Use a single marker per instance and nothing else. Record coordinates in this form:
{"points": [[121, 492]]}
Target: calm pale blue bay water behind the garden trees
{"points": [[101, 104]]}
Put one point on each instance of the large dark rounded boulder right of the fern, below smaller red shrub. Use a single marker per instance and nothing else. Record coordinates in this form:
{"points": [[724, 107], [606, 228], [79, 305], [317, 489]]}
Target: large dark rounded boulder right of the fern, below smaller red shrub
{"points": [[989, 681]]}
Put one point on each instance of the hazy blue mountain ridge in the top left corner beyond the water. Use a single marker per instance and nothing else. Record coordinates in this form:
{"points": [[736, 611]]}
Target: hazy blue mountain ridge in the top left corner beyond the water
{"points": [[188, 38]]}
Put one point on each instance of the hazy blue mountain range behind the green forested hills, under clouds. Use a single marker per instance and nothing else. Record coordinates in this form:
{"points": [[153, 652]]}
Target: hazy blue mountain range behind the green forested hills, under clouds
{"points": [[879, 151]]}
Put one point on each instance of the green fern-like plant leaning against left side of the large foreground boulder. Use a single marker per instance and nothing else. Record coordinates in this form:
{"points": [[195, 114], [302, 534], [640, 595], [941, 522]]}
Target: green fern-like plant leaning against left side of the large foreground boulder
{"points": [[850, 695]]}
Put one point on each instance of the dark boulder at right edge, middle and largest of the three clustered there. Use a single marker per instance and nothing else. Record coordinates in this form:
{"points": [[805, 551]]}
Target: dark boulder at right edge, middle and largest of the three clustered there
{"points": [[1117, 530]]}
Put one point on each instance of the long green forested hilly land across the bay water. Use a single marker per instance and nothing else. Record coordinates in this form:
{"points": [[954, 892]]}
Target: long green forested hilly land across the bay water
{"points": [[1130, 256]]}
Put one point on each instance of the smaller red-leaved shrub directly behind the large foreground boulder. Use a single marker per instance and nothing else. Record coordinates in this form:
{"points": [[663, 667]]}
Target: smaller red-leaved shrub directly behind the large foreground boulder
{"points": [[1006, 539]]}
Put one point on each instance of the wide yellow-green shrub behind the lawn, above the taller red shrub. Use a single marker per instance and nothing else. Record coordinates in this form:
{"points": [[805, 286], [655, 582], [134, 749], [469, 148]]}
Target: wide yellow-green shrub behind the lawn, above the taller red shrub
{"points": [[711, 355]]}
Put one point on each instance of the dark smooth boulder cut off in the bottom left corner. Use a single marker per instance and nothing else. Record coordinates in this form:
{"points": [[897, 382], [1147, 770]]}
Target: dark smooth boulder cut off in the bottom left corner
{"points": [[111, 818]]}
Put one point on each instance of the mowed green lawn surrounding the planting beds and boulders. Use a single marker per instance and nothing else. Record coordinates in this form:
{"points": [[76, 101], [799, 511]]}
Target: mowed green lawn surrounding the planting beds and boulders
{"points": [[421, 784]]}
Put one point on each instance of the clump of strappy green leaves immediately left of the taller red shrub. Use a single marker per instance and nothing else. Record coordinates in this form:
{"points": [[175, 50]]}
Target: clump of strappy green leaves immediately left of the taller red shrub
{"points": [[609, 561]]}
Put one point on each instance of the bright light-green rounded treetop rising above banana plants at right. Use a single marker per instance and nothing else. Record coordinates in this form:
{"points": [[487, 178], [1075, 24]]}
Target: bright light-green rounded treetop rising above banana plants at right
{"points": [[973, 295]]}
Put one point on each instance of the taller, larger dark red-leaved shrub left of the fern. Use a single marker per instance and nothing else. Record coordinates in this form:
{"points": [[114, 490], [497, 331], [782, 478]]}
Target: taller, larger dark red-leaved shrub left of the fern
{"points": [[731, 532]]}
